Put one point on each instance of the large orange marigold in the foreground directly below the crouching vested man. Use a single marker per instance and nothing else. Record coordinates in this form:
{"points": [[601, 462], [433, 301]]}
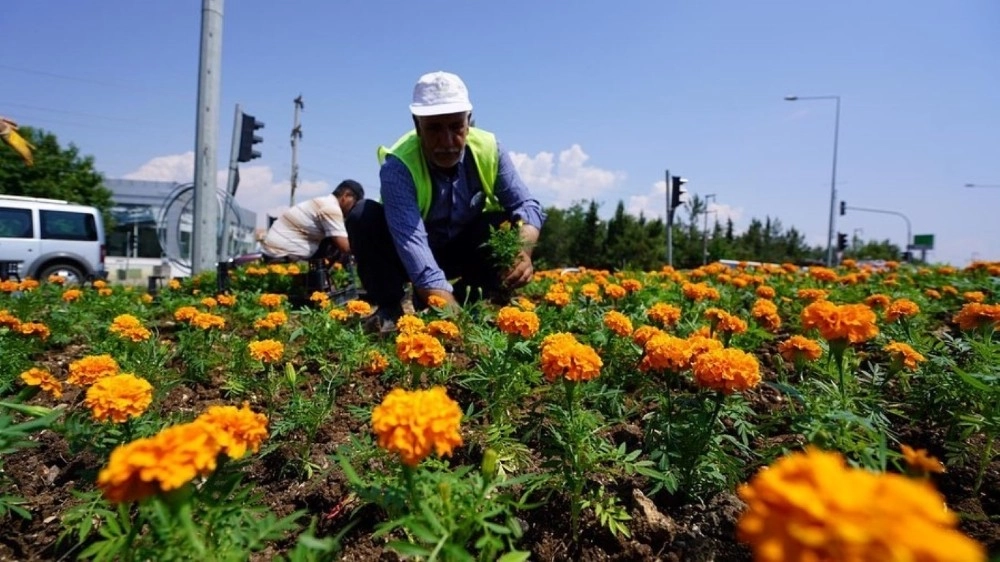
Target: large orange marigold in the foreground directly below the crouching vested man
{"points": [[415, 423]]}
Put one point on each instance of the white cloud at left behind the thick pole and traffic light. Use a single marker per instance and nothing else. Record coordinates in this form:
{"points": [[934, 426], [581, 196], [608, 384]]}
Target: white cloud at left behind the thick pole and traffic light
{"points": [[258, 191]]}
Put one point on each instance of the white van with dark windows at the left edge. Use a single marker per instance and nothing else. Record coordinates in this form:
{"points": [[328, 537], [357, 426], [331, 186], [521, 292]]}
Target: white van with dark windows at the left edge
{"points": [[47, 237]]}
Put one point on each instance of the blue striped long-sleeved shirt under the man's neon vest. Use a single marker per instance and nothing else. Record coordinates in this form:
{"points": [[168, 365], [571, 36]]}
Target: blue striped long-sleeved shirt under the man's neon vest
{"points": [[456, 200]]}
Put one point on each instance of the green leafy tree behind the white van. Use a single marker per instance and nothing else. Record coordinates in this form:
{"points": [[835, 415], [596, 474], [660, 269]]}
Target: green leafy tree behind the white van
{"points": [[58, 173]]}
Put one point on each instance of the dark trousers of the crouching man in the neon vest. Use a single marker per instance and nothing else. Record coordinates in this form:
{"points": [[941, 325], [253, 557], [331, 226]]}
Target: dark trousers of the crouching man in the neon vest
{"points": [[383, 275]]}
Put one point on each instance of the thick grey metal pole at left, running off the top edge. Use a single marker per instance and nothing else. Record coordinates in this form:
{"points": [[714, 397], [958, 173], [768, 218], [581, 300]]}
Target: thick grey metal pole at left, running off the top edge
{"points": [[205, 229]]}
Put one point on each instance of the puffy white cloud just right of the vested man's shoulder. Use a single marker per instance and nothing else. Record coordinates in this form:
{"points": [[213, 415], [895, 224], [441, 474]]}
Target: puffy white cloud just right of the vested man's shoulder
{"points": [[566, 179]]}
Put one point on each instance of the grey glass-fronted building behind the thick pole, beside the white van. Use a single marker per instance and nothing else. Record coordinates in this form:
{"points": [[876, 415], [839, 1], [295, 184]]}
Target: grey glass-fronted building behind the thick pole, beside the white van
{"points": [[152, 228]]}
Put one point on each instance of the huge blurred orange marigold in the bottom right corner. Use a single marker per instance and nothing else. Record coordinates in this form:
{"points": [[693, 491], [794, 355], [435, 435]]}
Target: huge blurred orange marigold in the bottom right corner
{"points": [[812, 506]]}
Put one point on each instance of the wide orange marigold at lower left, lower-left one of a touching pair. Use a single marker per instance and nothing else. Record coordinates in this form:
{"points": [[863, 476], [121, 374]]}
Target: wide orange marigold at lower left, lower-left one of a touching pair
{"points": [[164, 462]]}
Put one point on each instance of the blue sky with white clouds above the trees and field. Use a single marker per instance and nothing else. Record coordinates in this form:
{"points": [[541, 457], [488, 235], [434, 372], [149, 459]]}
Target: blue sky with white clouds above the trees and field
{"points": [[594, 99]]}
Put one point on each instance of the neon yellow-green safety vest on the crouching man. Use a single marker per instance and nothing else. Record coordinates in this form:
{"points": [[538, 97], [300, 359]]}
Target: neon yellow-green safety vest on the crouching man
{"points": [[483, 145]]}
